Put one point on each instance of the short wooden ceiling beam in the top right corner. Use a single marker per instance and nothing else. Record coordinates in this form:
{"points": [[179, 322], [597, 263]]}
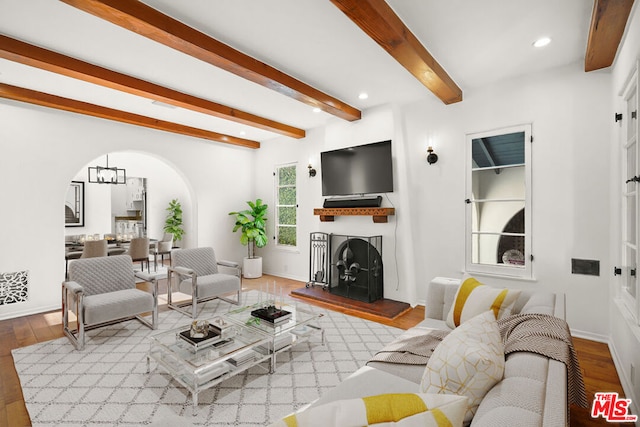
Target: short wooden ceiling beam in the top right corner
{"points": [[608, 21]]}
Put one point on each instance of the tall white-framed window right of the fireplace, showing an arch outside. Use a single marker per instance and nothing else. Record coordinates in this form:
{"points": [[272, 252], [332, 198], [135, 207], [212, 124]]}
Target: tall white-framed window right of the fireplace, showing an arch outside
{"points": [[499, 202]]}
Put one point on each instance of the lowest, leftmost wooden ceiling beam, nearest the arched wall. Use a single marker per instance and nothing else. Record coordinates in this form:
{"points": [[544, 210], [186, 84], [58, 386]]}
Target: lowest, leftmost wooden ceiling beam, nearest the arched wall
{"points": [[53, 101]]}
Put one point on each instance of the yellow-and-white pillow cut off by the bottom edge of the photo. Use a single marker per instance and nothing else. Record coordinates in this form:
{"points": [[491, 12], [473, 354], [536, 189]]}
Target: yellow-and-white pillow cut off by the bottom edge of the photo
{"points": [[402, 410]]}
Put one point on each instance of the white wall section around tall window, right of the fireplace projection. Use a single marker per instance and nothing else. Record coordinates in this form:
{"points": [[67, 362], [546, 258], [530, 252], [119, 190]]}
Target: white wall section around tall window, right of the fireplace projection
{"points": [[570, 113]]}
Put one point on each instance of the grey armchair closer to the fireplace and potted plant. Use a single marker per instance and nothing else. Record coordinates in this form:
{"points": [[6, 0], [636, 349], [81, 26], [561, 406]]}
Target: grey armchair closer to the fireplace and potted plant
{"points": [[196, 273]]}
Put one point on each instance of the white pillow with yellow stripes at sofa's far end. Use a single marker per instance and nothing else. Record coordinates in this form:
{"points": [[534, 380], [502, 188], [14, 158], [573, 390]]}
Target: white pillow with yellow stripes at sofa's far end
{"points": [[474, 298]]}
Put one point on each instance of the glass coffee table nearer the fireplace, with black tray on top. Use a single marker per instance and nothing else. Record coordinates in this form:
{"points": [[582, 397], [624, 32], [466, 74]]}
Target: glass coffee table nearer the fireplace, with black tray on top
{"points": [[297, 327]]}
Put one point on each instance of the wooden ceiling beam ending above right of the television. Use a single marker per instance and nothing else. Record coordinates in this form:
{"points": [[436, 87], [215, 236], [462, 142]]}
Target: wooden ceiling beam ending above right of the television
{"points": [[380, 22]]}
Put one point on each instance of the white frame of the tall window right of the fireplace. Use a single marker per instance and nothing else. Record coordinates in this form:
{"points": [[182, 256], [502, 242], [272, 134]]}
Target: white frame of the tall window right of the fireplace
{"points": [[501, 270]]}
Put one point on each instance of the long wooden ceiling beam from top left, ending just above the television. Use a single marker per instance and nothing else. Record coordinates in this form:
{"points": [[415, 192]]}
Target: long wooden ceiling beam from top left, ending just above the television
{"points": [[149, 22]]}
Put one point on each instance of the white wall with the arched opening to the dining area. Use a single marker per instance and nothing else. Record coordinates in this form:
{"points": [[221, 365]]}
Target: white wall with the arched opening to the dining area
{"points": [[43, 149]]}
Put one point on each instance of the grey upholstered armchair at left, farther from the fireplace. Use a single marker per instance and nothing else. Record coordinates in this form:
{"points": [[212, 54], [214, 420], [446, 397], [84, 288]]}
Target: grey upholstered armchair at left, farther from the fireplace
{"points": [[102, 291]]}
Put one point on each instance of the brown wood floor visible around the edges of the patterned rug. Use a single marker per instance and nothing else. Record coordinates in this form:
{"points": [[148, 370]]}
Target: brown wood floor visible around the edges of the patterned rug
{"points": [[595, 360]]}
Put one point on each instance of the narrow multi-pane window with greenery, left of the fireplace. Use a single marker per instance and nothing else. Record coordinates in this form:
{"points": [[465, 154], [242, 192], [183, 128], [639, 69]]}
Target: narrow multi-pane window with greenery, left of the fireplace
{"points": [[286, 206]]}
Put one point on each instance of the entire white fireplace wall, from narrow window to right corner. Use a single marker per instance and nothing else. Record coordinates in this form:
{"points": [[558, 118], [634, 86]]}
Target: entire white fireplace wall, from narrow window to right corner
{"points": [[570, 113]]}
